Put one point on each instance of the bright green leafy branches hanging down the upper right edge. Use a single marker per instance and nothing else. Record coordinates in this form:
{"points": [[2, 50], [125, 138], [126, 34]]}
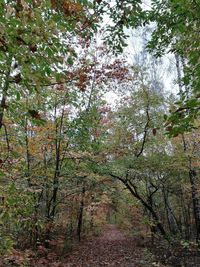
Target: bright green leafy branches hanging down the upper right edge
{"points": [[177, 24]]}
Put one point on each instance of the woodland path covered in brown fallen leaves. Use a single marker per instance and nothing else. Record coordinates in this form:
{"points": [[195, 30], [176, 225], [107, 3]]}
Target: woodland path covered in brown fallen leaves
{"points": [[112, 248]]}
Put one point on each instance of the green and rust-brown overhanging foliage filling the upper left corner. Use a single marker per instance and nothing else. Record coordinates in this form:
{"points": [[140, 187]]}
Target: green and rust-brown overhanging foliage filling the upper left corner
{"points": [[36, 47]]}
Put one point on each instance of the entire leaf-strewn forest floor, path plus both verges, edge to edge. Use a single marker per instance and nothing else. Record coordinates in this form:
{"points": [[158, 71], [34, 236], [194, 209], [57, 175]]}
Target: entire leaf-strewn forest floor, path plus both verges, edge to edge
{"points": [[112, 248]]}
